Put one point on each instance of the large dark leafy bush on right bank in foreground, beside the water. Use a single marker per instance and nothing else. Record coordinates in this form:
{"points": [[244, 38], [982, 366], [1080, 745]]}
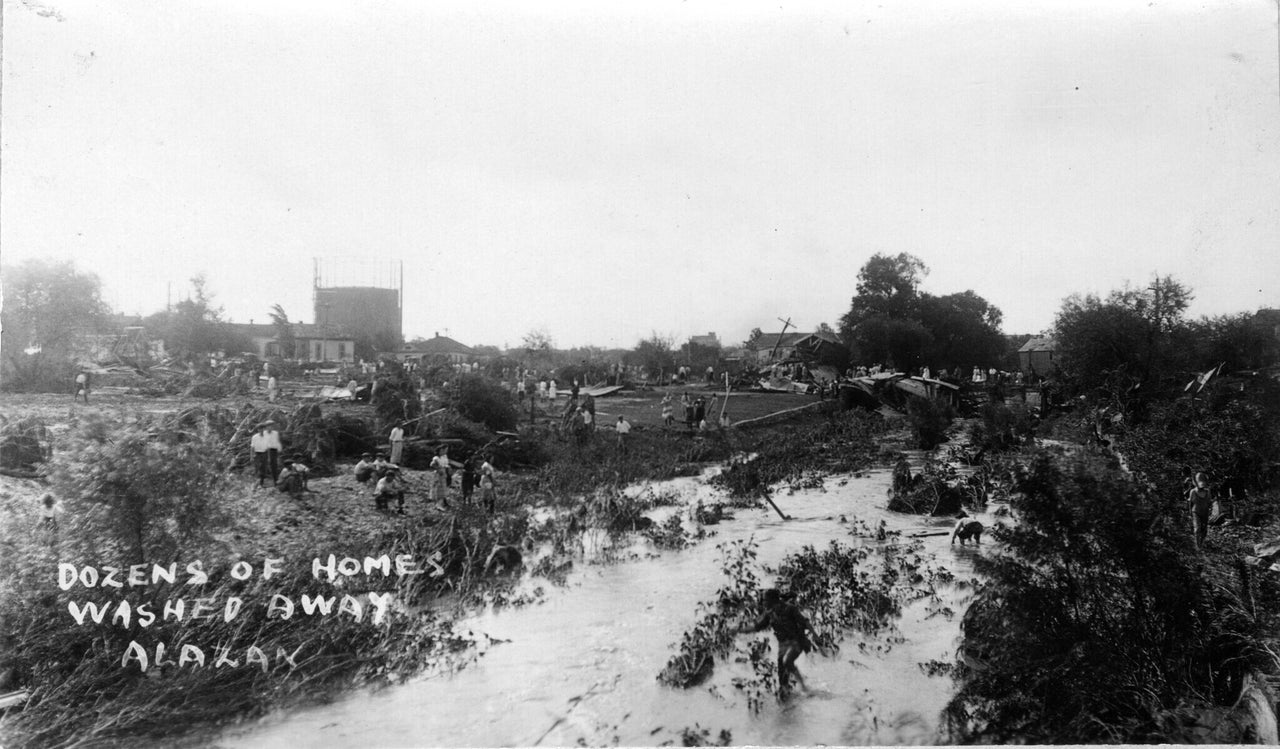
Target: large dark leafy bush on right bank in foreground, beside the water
{"points": [[1094, 620]]}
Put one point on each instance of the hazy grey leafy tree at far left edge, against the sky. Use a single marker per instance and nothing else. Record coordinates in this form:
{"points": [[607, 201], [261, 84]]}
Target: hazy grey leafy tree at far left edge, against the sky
{"points": [[51, 310]]}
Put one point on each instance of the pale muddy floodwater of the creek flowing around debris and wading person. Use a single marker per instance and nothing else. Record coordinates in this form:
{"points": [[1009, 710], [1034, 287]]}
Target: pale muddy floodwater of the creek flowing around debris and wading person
{"points": [[583, 665]]}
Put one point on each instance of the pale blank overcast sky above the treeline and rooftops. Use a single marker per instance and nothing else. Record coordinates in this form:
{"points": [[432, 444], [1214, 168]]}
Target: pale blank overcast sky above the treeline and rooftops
{"points": [[609, 171]]}
